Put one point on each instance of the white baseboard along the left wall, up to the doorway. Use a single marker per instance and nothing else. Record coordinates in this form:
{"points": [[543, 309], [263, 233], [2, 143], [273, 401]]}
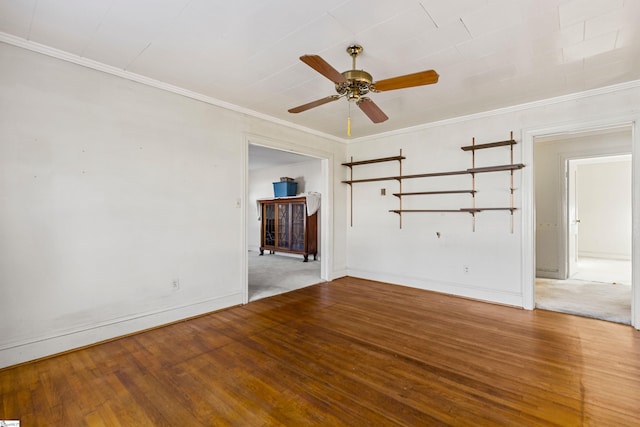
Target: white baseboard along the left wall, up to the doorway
{"points": [[38, 347]]}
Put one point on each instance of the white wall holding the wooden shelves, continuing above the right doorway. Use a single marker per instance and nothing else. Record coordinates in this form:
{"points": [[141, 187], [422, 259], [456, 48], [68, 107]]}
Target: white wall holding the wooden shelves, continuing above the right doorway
{"points": [[414, 255]]}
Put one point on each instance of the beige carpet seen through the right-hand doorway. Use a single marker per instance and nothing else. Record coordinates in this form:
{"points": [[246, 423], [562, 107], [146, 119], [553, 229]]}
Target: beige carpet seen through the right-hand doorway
{"points": [[600, 289]]}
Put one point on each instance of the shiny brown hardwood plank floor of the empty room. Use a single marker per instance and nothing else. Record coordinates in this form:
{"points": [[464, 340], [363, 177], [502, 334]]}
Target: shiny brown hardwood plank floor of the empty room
{"points": [[348, 352]]}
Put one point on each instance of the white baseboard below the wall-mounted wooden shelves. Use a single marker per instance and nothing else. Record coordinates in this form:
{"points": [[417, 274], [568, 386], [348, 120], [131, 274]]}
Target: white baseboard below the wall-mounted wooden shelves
{"points": [[451, 288]]}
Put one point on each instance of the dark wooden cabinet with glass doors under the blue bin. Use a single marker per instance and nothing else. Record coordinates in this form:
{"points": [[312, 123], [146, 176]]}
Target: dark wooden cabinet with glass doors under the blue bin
{"points": [[287, 228]]}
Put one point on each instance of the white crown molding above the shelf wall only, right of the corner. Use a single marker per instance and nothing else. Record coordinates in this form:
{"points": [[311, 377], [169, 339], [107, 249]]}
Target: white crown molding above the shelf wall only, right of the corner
{"points": [[514, 108]]}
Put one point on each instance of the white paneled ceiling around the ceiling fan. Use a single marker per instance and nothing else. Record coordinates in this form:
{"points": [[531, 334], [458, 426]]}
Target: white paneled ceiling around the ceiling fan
{"points": [[489, 53]]}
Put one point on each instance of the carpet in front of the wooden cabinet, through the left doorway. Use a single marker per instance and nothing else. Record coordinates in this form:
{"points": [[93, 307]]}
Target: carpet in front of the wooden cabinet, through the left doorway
{"points": [[273, 274]]}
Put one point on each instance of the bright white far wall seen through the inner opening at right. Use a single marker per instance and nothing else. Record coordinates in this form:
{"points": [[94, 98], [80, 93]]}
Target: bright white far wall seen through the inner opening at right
{"points": [[604, 207]]}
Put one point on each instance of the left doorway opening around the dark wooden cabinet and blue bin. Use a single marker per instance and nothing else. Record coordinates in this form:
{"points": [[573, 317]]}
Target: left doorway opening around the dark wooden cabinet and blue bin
{"points": [[275, 273]]}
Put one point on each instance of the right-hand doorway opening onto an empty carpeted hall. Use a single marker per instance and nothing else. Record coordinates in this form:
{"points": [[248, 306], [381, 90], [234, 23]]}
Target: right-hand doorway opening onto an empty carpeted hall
{"points": [[583, 228]]}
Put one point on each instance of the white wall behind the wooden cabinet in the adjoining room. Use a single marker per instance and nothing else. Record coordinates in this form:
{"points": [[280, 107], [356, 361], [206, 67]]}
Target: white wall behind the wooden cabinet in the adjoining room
{"points": [[308, 175]]}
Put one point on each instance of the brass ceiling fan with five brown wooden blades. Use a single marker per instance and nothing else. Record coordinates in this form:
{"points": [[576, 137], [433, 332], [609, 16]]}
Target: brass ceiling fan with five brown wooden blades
{"points": [[353, 84]]}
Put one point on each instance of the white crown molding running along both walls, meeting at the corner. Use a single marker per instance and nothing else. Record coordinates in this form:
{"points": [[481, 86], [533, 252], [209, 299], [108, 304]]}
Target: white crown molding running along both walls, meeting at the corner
{"points": [[89, 63]]}
